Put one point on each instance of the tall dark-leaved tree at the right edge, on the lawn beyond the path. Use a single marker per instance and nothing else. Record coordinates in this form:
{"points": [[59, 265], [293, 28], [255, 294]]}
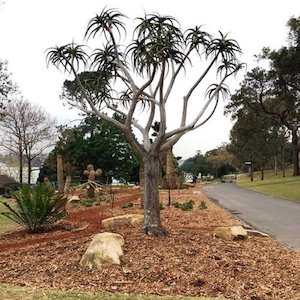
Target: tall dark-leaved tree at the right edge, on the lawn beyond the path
{"points": [[274, 93]]}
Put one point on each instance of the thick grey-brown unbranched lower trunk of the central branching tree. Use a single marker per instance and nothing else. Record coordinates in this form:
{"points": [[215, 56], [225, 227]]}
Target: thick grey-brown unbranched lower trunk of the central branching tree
{"points": [[152, 223]]}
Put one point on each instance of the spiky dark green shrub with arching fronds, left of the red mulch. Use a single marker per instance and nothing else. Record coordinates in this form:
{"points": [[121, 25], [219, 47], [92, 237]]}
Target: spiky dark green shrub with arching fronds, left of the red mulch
{"points": [[36, 207]]}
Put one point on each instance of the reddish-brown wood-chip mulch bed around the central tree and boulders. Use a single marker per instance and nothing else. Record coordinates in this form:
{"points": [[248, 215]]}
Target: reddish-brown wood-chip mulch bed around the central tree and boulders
{"points": [[189, 261]]}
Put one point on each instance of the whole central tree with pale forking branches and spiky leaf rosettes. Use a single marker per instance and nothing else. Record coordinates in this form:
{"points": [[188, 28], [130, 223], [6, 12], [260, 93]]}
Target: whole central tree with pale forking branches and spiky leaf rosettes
{"points": [[145, 73]]}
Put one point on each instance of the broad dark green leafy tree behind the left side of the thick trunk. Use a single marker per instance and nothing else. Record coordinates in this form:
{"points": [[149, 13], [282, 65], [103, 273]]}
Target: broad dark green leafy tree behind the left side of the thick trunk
{"points": [[95, 142]]}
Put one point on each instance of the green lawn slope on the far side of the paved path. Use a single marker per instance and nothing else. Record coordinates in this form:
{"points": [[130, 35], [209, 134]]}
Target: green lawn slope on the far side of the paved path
{"points": [[276, 185]]}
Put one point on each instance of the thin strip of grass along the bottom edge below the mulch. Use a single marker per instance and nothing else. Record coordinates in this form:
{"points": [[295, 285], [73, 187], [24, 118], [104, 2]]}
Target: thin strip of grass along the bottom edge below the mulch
{"points": [[16, 293]]}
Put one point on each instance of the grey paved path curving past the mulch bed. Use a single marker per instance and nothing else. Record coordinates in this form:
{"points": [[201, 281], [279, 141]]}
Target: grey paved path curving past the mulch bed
{"points": [[278, 217]]}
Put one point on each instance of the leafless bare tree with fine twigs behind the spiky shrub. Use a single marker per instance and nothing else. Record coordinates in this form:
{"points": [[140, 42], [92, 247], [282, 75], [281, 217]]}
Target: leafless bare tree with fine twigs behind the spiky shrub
{"points": [[27, 131]]}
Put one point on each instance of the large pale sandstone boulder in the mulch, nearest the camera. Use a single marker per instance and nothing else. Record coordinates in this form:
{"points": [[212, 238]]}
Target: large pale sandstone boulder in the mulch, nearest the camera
{"points": [[105, 249]]}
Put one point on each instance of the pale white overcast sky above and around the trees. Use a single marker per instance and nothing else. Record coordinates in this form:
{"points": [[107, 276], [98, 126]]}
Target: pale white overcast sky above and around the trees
{"points": [[29, 27]]}
